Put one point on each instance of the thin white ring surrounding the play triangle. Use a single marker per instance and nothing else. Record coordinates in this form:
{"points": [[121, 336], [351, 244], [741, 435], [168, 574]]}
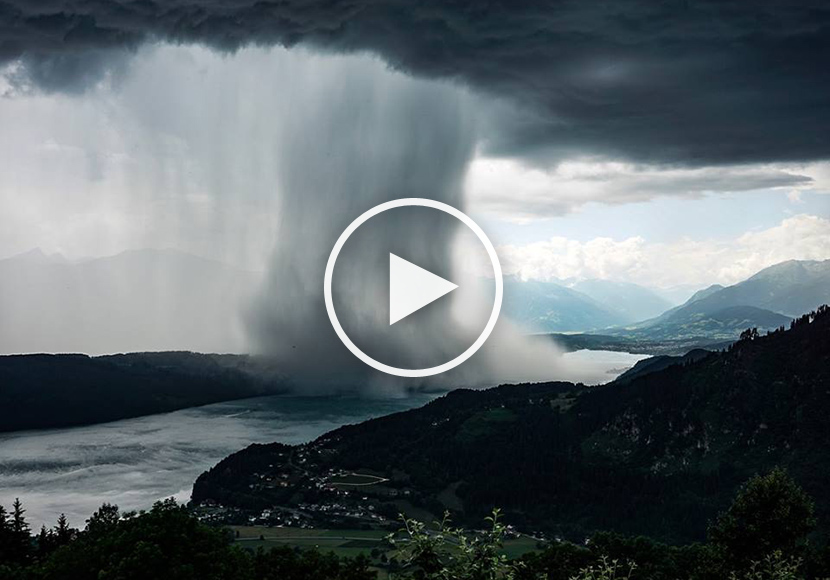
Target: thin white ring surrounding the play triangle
{"points": [[491, 253]]}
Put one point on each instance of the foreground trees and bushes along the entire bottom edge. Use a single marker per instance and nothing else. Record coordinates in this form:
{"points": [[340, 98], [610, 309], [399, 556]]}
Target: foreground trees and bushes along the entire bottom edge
{"points": [[765, 534]]}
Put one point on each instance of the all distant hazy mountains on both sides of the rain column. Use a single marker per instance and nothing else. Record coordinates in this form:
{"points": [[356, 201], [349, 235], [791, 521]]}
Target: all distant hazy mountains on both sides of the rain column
{"points": [[168, 300]]}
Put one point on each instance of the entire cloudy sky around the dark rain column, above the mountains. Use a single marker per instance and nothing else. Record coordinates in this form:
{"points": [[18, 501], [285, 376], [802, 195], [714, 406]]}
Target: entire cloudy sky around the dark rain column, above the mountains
{"points": [[667, 144]]}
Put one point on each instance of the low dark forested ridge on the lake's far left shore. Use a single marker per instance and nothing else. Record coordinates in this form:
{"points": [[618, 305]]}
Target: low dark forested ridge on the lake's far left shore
{"points": [[40, 391]]}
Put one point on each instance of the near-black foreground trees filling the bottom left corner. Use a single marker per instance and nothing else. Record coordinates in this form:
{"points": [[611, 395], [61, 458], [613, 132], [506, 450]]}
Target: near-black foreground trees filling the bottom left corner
{"points": [[165, 543]]}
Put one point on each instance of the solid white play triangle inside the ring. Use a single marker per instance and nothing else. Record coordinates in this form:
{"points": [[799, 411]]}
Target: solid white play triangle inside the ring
{"points": [[411, 288]]}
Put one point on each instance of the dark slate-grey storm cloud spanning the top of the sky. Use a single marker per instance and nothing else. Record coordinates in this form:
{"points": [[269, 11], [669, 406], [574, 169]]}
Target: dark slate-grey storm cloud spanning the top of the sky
{"points": [[689, 82]]}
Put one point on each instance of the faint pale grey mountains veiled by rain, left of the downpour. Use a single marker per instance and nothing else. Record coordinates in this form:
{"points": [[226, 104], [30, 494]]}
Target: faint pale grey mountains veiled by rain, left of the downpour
{"points": [[134, 301]]}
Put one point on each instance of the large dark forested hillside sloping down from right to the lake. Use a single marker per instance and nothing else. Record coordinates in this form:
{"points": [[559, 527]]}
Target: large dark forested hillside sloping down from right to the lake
{"points": [[658, 455]]}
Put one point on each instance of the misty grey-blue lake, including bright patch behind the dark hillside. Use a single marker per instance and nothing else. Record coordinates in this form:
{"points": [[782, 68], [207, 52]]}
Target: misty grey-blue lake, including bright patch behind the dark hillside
{"points": [[135, 462]]}
